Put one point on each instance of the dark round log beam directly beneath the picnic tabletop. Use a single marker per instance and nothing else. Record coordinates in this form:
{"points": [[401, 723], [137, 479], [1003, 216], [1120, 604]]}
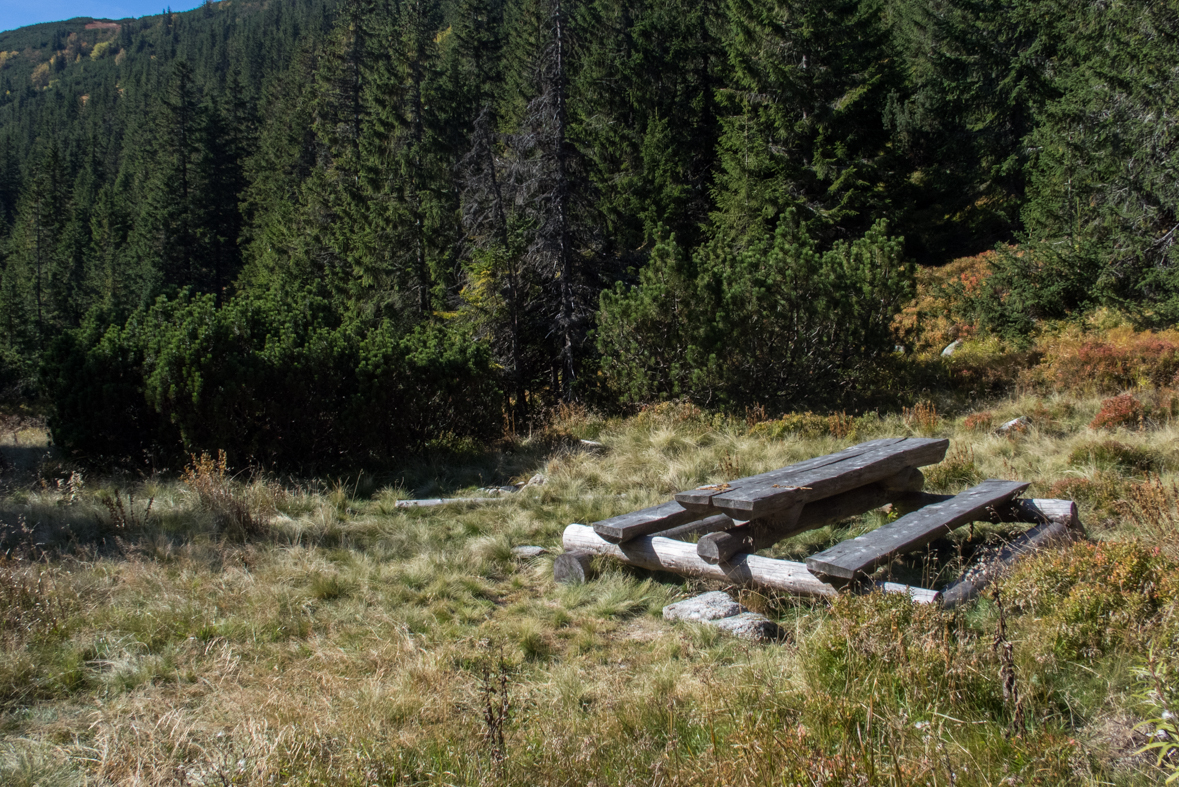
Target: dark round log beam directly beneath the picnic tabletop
{"points": [[765, 533]]}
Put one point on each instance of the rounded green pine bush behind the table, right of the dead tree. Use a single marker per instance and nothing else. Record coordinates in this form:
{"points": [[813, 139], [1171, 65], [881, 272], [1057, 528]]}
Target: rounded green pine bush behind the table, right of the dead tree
{"points": [[773, 323]]}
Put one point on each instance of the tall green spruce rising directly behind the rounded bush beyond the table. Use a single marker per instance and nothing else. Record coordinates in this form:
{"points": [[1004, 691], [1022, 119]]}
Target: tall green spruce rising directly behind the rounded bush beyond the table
{"points": [[807, 125]]}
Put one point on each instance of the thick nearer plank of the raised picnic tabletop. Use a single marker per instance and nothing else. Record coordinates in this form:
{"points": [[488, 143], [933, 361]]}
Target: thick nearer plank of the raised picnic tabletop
{"points": [[750, 501]]}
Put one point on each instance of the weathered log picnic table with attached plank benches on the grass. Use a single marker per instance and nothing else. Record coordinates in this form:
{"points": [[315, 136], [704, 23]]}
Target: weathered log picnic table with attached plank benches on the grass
{"points": [[743, 517]]}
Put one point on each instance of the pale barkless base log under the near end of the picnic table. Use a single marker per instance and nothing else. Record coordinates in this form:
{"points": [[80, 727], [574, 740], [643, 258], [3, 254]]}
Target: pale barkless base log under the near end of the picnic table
{"points": [[670, 555]]}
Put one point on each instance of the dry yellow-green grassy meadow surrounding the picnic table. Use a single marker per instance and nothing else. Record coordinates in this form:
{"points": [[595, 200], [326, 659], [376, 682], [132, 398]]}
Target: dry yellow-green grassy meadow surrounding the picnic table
{"points": [[220, 631]]}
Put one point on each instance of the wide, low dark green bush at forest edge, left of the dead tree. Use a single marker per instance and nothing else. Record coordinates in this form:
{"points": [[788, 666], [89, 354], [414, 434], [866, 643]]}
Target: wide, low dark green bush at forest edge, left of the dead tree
{"points": [[274, 379]]}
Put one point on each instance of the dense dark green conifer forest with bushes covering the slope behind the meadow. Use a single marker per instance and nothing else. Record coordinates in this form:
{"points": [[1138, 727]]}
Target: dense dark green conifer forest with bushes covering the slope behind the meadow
{"points": [[324, 233]]}
